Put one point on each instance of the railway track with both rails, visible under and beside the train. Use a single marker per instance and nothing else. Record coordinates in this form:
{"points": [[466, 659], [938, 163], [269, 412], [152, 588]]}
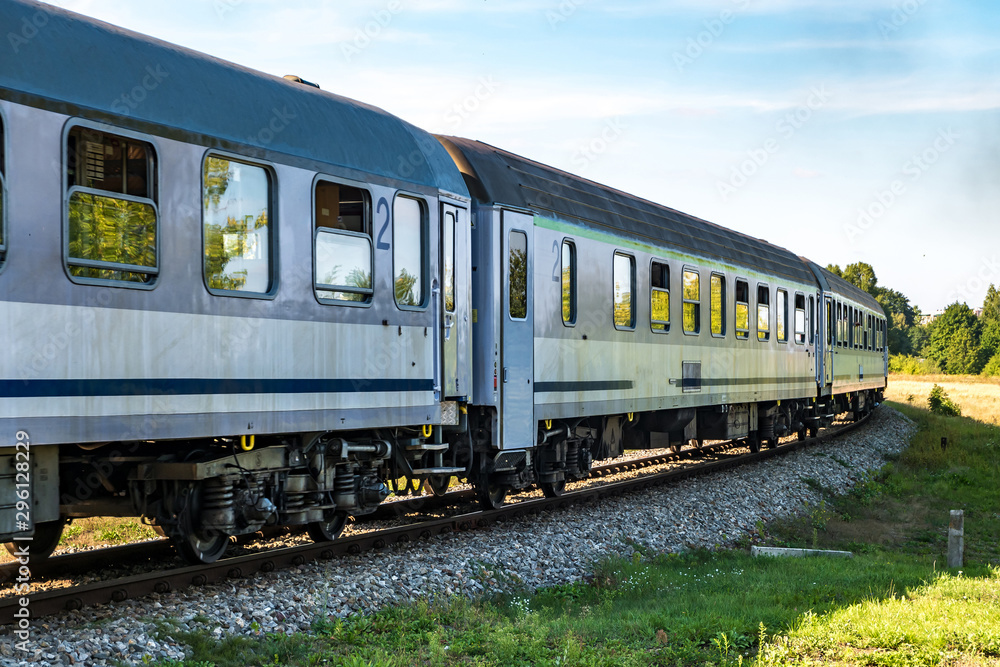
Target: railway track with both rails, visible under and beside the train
{"points": [[49, 602]]}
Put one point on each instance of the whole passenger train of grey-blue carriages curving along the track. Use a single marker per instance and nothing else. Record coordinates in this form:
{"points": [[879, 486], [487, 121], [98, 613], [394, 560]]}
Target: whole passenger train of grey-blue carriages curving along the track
{"points": [[233, 300]]}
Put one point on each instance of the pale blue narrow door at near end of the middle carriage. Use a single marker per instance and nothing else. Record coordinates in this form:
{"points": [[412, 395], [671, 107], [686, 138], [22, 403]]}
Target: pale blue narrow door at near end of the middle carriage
{"points": [[517, 416]]}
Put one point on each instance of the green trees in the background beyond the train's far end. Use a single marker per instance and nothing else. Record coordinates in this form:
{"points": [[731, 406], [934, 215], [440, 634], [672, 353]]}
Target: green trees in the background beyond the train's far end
{"points": [[956, 342]]}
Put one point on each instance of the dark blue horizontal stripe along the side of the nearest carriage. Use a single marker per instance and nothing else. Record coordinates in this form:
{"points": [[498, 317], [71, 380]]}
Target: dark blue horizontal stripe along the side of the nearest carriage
{"points": [[197, 386]]}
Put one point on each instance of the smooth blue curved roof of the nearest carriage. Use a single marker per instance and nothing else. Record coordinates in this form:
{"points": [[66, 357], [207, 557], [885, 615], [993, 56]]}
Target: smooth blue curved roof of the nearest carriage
{"points": [[81, 66]]}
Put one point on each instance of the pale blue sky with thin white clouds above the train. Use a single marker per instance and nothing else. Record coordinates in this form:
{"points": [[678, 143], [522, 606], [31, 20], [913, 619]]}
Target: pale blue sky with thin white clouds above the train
{"points": [[843, 130]]}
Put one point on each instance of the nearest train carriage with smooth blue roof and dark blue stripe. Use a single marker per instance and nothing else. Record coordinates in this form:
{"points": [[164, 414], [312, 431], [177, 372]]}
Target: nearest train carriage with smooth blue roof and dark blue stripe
{"points": [[229, 296]]}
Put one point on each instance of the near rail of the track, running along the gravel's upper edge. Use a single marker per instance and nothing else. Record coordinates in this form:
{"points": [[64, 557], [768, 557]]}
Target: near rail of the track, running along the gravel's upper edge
{"points": [[74, 598]]}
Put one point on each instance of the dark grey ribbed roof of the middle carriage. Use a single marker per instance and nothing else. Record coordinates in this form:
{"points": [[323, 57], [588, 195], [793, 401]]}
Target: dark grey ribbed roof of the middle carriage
{"points": [[495, 176]]}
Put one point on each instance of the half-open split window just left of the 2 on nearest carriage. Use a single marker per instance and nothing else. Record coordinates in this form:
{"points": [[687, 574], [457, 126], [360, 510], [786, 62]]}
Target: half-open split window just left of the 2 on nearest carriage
{"points": [[343, 244]]}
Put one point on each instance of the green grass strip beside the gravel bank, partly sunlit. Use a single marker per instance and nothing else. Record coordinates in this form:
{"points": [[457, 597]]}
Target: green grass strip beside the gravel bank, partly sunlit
{"points": [[893, 604]]}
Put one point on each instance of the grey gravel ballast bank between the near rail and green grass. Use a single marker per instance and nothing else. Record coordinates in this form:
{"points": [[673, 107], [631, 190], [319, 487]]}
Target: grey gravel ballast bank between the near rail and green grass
{"points": [[711, 511]]}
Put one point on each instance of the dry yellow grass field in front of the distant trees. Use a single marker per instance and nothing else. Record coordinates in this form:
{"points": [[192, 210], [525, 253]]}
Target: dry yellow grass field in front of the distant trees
{"points": [[979, 397]]}
